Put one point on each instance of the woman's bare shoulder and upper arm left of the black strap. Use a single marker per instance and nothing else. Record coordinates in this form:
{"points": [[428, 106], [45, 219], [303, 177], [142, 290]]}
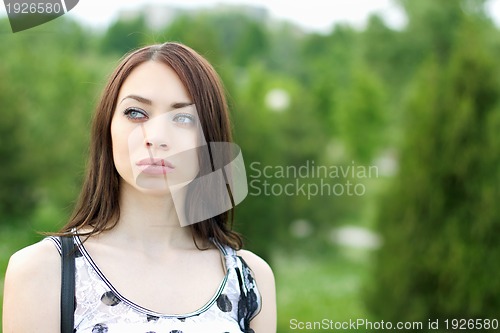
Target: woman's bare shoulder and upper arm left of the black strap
{"points": [[32, 279]]}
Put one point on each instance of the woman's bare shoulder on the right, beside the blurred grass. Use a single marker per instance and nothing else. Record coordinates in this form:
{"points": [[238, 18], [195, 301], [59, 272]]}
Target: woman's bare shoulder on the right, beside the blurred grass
{"points": [[265, 321]]}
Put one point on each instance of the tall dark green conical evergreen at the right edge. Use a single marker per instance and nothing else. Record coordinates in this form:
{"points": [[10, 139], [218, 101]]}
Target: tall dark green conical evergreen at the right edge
{"points": [[439, 220]]}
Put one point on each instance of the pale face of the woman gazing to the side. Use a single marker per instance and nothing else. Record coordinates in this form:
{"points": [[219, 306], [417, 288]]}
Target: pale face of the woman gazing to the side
{"points": [[155, 130]]}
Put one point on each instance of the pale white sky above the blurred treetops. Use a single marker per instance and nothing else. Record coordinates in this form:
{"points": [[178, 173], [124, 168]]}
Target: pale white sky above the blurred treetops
{"points": [[312, 15]]}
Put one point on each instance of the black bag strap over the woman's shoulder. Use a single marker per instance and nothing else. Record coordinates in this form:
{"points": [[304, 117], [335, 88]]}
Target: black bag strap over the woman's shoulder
{"points": [[67, 285]]}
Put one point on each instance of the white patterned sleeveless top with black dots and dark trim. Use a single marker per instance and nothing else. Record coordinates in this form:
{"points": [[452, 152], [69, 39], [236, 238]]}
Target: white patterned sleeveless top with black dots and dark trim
{"points": [[100, 308]]}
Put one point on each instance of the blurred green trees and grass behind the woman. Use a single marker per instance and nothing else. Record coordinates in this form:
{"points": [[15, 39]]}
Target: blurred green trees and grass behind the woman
{"points": [[409, 118]]}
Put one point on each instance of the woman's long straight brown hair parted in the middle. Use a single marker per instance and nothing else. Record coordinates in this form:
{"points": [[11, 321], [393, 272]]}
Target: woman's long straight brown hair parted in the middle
{"points": [[98, 203]]}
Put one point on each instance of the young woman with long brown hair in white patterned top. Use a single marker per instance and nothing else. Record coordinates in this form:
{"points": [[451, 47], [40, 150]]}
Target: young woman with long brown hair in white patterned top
{"points": [[143, 264]]}
